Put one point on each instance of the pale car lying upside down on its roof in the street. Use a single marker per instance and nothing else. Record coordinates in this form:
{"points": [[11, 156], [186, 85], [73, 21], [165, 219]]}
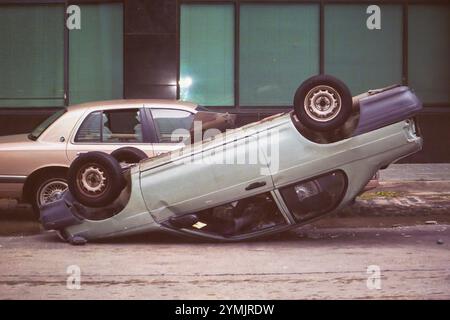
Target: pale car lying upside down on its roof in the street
{"points": [[270, 176]]}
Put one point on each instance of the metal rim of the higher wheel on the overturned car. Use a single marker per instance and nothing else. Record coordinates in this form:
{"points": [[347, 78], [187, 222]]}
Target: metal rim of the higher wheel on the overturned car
{"points": [[322, 103]]}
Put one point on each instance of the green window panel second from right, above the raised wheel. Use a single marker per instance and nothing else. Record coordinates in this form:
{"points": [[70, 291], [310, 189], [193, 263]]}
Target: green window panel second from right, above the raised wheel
{"points": [[364, 59]]}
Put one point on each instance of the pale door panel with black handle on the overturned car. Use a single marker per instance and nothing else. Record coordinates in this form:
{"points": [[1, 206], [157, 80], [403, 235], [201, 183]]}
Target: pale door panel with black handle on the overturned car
{"points": [[225, 168]]}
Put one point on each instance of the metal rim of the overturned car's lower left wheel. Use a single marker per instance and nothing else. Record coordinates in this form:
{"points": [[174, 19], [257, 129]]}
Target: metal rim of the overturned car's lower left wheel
{"points": [[92, 180]]}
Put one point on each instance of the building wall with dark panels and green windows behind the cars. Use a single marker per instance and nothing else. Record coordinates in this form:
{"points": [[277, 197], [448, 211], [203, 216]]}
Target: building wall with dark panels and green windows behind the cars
{"points": [[163, 42]]}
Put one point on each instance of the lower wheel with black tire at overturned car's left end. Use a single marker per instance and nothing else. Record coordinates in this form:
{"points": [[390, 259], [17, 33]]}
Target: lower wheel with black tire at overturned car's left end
{"points": [[95, 179]]}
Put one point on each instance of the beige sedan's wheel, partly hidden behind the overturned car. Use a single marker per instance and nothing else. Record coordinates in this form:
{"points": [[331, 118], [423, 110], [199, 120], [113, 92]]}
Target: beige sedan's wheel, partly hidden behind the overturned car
{"points": [[47, 188]]}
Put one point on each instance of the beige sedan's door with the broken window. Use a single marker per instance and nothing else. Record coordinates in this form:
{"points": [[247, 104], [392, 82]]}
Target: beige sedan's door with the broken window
{"points": [[110, 129]]}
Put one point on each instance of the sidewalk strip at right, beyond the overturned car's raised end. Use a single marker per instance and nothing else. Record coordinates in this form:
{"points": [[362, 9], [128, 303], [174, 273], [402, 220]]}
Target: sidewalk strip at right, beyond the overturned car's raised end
{"points": [[418, 191]]}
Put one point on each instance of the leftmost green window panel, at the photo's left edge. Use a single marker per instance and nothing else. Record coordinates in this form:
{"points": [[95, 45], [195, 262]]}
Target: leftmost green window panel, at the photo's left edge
{"points": [[31, 55]]}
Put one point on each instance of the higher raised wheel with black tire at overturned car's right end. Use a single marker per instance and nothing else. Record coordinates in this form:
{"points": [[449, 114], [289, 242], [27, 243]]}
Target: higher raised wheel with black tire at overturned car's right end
{"points": [[323, 103]]}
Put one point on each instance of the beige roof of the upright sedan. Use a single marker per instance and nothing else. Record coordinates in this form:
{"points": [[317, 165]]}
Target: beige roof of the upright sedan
{"points": [[131, 102]]}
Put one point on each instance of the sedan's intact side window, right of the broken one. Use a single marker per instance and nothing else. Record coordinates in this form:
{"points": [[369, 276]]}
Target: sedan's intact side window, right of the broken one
{"points": [[169, 120]]}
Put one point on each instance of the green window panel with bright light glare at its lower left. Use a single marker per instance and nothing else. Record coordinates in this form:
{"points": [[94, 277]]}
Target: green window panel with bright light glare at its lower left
{"points": [[207, 54]]}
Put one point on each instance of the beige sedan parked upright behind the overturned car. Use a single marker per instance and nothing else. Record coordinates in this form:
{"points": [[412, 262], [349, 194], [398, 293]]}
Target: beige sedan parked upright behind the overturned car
{"points": [[33, 166]]}
